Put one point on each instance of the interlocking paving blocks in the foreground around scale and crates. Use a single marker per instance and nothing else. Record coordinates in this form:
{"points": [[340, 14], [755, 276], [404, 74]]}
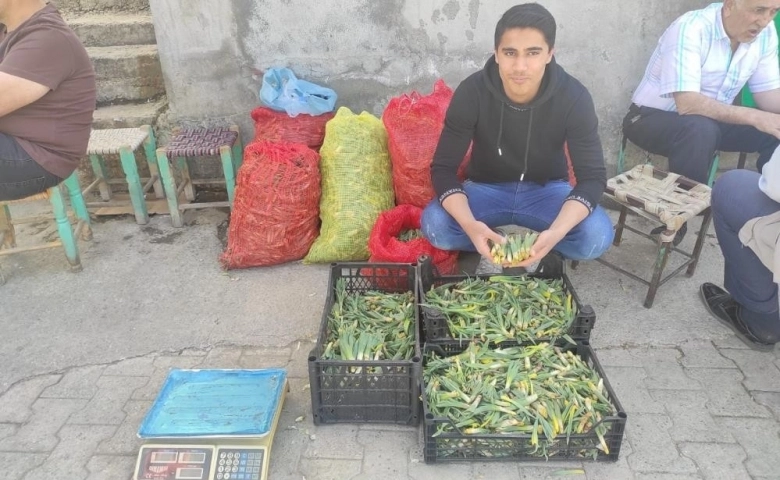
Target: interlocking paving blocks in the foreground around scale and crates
{"points": [[702, 410]]}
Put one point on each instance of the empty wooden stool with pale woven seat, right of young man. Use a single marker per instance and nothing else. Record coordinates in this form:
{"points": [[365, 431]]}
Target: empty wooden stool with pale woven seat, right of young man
{"points": [[665, 197]]}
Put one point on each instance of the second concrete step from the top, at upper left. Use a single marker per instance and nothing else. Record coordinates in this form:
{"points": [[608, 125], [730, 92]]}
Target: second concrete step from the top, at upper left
{"points": [[106, 30]]}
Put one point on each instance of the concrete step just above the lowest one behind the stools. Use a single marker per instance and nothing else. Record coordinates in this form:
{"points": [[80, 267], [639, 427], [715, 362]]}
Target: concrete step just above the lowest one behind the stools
{"points": [[130, 74]]}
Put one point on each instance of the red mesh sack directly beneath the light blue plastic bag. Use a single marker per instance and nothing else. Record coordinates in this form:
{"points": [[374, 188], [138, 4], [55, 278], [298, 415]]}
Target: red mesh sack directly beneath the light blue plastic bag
{"points": [[276, 126]]}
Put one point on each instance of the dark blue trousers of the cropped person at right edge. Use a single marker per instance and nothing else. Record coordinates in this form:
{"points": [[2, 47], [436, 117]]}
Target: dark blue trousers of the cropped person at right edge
{"points": [[736, 199]]}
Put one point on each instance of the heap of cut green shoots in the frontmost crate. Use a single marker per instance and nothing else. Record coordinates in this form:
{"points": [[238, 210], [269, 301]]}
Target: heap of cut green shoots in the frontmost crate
{"points": [[541, 392]]}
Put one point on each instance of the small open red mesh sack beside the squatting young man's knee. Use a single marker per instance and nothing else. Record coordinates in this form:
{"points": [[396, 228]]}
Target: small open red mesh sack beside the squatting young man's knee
{"points": [[384, 245]]}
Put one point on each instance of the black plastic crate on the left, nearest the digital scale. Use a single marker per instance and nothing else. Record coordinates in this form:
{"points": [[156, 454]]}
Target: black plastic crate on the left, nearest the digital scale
{"points": [[383, 391]]}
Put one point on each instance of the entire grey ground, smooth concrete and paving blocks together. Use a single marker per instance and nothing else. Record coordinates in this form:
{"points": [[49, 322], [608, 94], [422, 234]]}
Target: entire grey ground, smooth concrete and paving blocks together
{"points": [[77, 376]]}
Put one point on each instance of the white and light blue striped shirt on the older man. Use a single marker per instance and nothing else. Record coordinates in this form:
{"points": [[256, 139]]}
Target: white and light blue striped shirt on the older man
{"points": [[694, 55]]}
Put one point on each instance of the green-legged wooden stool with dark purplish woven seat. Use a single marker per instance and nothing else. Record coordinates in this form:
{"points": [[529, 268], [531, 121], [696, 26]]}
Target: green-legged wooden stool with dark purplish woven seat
{"points": [[198, 142]]}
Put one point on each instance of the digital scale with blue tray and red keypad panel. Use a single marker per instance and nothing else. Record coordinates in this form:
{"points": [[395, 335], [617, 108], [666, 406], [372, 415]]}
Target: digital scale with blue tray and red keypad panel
{"points": [[212, 425]]}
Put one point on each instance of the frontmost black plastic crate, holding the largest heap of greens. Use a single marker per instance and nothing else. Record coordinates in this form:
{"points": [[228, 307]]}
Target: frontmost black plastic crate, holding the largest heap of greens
{"points": [[458, 447]]}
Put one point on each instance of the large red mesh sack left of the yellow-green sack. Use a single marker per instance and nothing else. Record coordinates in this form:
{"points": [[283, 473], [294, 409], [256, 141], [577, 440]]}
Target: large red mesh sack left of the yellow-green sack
{"points": [[275, 217]]}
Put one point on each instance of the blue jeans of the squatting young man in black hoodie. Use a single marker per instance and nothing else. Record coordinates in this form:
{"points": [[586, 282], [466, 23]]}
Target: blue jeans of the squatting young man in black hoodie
{"points": [[526, 204]]}
